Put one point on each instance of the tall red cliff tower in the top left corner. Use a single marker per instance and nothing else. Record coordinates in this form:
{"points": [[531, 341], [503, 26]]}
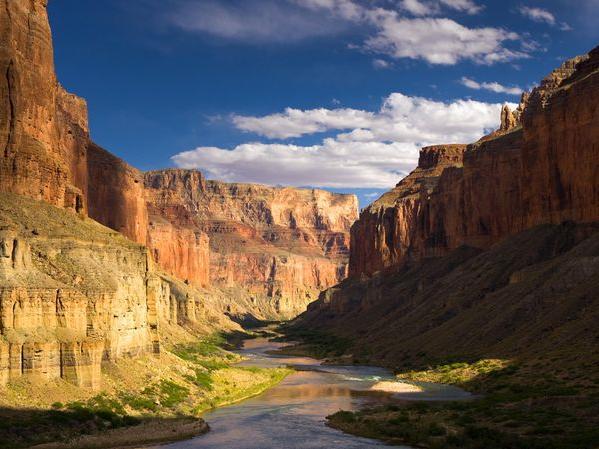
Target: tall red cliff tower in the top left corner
{"points": [[43, 129]]}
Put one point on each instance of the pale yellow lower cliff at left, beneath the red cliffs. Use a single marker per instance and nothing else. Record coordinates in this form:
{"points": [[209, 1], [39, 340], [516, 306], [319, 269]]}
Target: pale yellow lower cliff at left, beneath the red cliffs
{"points": [[74, 293]]}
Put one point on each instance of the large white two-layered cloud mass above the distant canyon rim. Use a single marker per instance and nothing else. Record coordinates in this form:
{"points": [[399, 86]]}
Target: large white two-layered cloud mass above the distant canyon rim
{"points": [[373, 149]]}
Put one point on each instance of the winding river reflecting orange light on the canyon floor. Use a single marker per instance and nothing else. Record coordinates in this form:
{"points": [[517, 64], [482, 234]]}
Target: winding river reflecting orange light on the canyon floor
{"points": [[292, 414]]}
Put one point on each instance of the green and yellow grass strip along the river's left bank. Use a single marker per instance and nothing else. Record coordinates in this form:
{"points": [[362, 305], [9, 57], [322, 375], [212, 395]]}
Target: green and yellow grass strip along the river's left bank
{"points": [[202, 375]]}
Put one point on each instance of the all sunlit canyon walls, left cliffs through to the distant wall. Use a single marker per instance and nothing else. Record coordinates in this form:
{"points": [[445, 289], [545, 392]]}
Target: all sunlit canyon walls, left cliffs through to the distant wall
{"points": [[101, 261]]}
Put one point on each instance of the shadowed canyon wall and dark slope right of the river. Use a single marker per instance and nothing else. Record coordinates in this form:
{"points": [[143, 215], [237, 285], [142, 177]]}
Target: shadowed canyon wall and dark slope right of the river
{"points": [[493, 255]]}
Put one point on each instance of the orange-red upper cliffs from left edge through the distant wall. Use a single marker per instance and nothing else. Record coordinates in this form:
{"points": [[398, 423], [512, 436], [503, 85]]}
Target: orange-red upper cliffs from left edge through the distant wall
{"points": [[297, 241]]}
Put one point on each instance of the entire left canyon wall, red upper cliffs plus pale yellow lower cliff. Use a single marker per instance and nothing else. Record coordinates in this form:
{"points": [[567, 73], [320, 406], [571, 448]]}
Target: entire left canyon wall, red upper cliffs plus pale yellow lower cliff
{"points": [[74, 293]]}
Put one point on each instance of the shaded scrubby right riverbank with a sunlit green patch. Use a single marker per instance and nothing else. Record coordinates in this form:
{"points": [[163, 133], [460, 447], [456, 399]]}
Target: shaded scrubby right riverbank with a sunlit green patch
{"points": [[537, 405]]}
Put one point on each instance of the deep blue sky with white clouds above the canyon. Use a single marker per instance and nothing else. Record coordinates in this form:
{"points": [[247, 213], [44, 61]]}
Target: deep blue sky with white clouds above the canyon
{"points": [[335, 94]]}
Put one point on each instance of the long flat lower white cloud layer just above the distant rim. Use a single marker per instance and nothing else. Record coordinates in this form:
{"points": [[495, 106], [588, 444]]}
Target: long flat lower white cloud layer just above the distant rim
{"points": [[331, 164]]}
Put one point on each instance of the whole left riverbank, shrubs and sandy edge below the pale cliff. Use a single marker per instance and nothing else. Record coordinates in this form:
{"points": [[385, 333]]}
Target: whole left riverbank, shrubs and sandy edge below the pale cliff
{"points": [[146, 400]]}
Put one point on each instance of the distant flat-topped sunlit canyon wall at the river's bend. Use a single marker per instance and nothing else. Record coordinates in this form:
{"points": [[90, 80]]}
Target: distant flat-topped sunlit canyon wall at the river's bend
{"points": [[284, 244]]}
